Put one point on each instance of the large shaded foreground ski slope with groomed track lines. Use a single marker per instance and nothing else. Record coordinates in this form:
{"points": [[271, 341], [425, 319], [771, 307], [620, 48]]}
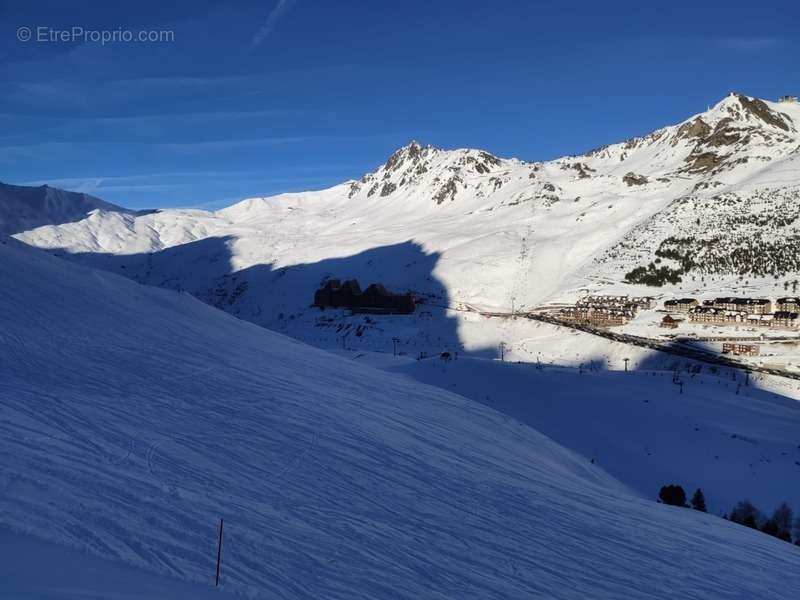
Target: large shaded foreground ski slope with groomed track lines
{"points": [[133, 418]]}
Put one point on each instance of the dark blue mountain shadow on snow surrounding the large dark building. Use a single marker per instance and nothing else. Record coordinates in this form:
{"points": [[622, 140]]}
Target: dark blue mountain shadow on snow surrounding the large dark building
{"points": [[281, 297]]}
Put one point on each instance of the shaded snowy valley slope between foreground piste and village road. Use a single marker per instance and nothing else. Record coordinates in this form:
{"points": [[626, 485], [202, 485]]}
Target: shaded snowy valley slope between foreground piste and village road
{"points": [[734, 440]]}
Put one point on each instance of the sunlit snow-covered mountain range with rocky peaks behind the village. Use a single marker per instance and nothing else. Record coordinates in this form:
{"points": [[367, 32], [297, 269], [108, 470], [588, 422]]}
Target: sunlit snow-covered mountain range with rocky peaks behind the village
{"points": [[501, 231]]}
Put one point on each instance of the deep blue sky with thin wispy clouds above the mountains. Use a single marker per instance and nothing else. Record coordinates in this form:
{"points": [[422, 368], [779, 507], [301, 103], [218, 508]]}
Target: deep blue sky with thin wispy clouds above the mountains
{"points": [[255, 98]]}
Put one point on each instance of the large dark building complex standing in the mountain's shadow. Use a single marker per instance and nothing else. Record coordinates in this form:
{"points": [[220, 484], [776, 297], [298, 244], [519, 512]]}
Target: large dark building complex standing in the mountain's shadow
{"points": [[374, 299]]}
